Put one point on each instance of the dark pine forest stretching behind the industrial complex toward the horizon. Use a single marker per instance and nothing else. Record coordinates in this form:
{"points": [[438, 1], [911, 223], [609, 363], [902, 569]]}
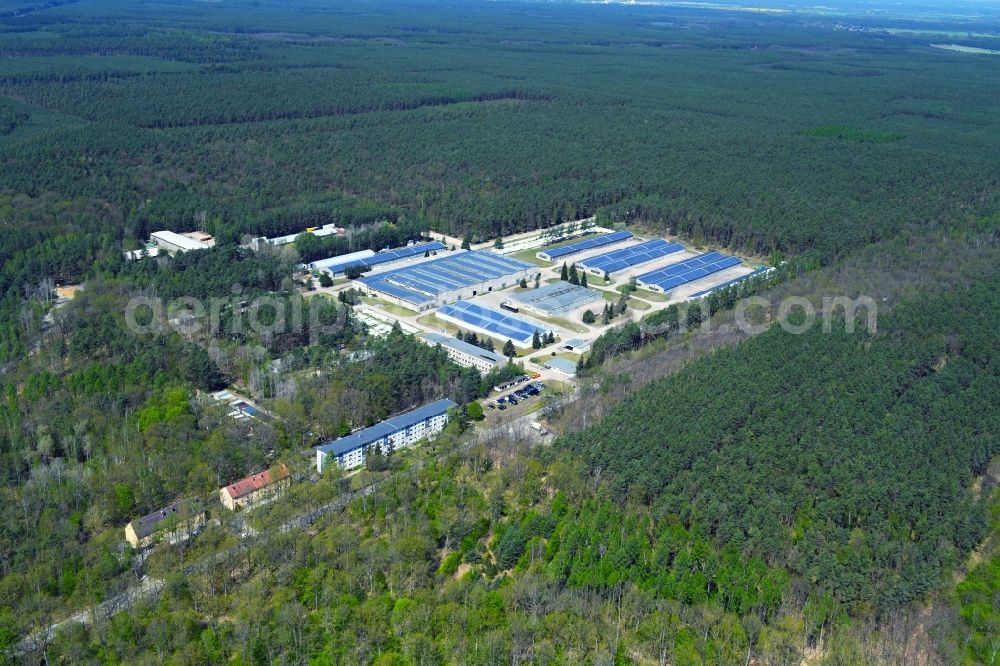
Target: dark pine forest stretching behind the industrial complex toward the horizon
{"points": [[715, 125]]}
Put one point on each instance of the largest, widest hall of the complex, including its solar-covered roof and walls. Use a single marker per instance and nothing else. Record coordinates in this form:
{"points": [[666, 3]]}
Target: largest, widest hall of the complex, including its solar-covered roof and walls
{"points": [[457, 275]]}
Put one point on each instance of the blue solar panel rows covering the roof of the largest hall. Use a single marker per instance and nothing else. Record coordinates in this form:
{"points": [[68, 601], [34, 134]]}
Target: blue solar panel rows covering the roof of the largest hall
{"points": [[423, 282]]}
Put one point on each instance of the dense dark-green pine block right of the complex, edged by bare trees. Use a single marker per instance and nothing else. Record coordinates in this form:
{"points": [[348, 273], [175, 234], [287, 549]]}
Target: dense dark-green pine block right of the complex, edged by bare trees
{"points": [[846, 458]]}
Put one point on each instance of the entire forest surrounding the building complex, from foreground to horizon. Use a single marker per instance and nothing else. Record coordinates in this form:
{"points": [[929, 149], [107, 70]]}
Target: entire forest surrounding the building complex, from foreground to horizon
{"points": [[829, 498]]}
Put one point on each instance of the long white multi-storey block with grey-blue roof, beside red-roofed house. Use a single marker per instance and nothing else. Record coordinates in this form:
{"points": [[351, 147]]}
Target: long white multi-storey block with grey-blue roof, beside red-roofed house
{"points": [[389, 435]]}
